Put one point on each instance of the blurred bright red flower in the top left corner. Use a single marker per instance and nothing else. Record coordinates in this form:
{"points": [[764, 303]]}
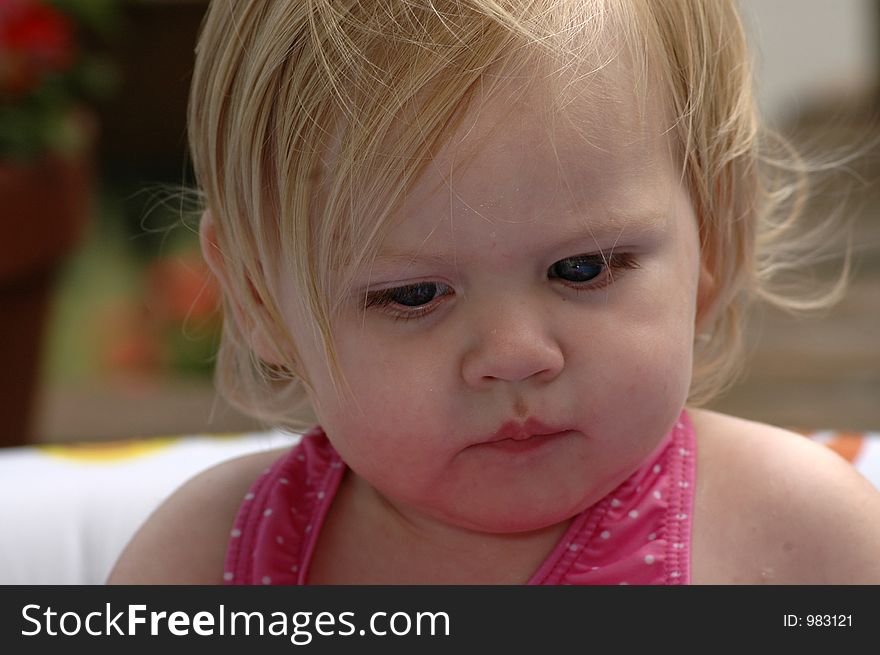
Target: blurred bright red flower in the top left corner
{"points": [[35, 39]]}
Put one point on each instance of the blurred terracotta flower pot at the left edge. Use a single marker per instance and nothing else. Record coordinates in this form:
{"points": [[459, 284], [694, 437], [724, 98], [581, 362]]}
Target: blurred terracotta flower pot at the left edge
{"points": [[44, 206]]}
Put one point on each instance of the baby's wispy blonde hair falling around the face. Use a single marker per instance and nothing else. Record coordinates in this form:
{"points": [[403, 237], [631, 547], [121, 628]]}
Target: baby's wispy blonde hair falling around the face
{"points": [[292, 110]]}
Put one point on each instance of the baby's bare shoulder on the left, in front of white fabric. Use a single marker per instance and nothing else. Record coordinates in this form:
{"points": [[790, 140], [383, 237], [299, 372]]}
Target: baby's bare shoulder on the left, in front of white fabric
{"points": [[184, 540]]}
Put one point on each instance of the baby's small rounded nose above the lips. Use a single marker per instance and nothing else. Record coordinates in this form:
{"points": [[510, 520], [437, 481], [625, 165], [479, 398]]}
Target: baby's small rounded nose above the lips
{"points": [[512, 347]]}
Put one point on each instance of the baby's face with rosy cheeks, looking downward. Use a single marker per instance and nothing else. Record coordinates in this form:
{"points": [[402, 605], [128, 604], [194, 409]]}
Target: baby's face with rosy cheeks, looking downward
{"points": [[544, 285]]}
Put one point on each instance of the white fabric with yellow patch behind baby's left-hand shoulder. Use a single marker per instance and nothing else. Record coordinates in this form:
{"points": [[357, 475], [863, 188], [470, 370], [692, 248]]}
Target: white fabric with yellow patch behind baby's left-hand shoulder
{"points": [[67, 511]]}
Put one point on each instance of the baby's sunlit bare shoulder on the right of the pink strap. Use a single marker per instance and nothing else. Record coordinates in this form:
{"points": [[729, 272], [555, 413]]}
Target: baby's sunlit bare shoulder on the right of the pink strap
{"points": [[774, 507]]}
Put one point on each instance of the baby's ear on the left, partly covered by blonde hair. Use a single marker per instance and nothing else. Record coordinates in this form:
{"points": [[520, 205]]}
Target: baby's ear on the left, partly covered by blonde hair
{"points": [[250, 328]]}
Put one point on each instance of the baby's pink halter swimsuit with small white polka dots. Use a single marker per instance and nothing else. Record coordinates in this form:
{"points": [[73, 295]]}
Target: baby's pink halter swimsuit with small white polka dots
{"points": [[640, 533]]}
